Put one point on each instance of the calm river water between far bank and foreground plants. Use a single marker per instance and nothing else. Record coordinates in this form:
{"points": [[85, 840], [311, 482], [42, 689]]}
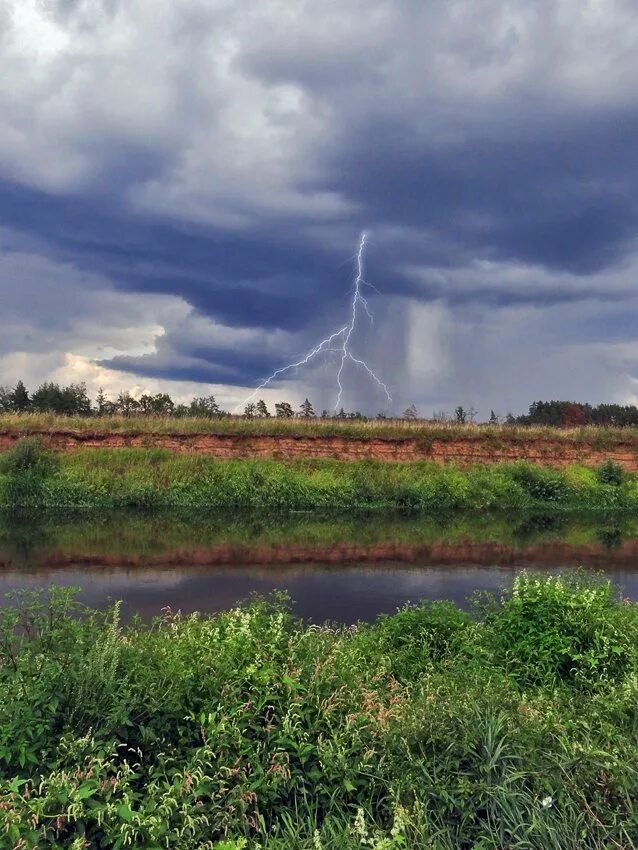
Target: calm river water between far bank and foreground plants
{"points": [[339, 569]]}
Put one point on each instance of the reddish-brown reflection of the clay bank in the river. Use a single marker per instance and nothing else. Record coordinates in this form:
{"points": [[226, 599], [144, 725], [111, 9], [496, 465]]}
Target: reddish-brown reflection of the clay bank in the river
{"points": [[435, 554]]}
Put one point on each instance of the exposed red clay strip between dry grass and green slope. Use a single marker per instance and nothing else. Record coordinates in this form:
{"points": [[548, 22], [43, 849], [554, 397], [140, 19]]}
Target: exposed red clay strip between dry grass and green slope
{"points": [[463, 451]]}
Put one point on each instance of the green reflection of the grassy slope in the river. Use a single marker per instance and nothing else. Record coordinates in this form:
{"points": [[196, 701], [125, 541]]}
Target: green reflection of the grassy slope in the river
{"points": [[28, 539]]}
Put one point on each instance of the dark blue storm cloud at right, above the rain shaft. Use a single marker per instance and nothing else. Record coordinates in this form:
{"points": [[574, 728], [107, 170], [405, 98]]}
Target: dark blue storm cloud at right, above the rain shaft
{"points": [[552, 192]]}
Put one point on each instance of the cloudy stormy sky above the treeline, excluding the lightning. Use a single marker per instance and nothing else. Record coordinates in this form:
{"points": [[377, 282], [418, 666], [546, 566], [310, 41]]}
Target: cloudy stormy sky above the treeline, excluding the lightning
{"points": [[183, 185]]}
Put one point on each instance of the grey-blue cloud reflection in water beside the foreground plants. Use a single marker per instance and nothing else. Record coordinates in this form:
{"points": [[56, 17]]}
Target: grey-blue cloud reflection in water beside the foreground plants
{"points": [[344, 594]]}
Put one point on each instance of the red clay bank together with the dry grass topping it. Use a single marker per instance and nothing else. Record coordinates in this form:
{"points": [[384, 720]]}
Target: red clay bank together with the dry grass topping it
{"points": [[346, 440]]}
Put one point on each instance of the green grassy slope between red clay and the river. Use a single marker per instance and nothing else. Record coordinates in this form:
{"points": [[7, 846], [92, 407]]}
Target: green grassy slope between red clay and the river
{"points": [[156, 478]]}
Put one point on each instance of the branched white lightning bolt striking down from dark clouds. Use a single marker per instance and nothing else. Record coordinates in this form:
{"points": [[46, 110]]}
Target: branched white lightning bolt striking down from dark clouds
{"points": [[343, 334]]}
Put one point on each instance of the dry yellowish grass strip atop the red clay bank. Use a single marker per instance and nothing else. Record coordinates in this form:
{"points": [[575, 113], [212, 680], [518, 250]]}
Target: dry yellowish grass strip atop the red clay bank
{"points": [[427, 432]]}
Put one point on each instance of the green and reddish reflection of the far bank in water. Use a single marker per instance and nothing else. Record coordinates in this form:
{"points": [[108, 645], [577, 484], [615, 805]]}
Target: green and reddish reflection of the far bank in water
{"points": [[134, 539]]}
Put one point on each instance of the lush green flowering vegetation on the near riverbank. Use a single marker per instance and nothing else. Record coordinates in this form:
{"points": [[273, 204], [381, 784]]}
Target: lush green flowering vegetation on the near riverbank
{"points": [[434, 729]]}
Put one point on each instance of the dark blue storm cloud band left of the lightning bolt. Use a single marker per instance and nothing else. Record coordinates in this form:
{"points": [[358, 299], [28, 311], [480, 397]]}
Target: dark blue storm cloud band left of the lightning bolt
{"points": [[241, 279]]}
